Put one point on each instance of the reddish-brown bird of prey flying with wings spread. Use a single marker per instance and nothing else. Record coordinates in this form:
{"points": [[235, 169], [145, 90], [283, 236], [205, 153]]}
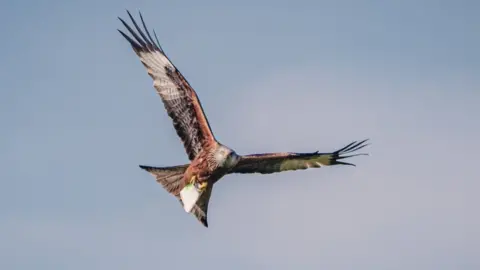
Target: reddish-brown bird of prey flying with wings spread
{"points": [[210, 160]]}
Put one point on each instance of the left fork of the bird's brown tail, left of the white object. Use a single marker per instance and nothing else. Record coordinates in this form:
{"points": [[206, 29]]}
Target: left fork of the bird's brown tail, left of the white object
{"points": [[169, 177]]}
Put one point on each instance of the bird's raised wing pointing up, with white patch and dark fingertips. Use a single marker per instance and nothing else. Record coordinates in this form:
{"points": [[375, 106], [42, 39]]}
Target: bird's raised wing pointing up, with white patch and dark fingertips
{"points": [[179, 98]]}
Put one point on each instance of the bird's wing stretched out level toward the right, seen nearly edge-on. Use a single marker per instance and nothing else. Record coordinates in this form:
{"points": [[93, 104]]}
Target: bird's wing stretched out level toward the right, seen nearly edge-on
{"points": [[279, 162]]}
